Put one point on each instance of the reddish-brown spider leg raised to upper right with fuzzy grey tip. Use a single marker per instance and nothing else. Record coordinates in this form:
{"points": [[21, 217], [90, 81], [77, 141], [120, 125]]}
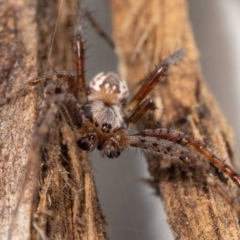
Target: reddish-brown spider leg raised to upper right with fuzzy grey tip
{"points": [[152, 80]]}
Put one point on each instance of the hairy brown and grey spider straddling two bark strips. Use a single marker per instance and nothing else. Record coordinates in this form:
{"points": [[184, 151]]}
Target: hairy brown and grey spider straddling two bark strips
{"points": [[100, 117]]}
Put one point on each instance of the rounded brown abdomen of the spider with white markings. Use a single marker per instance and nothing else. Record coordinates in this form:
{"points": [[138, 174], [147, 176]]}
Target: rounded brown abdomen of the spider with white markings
{"points": [[109, 88]]}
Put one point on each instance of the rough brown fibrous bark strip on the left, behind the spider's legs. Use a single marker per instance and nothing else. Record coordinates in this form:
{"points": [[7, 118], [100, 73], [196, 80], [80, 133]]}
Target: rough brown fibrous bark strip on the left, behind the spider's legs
{"points": [[67, 205]]}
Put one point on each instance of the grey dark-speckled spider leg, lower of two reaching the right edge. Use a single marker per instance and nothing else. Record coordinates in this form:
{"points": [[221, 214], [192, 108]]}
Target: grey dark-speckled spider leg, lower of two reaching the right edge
{"points": [[173, 149]]}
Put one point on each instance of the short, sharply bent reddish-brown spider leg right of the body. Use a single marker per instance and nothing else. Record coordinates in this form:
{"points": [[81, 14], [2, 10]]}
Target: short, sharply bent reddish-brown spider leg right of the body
{"points": [[146, 105]]}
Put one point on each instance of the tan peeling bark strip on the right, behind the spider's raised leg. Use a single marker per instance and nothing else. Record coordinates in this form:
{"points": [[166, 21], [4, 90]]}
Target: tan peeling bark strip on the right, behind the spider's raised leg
{"points": [[145, 32]]}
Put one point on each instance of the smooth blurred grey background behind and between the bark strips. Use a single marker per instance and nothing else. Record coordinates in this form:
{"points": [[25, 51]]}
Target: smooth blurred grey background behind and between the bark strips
{"points": [[131, 209]]}
